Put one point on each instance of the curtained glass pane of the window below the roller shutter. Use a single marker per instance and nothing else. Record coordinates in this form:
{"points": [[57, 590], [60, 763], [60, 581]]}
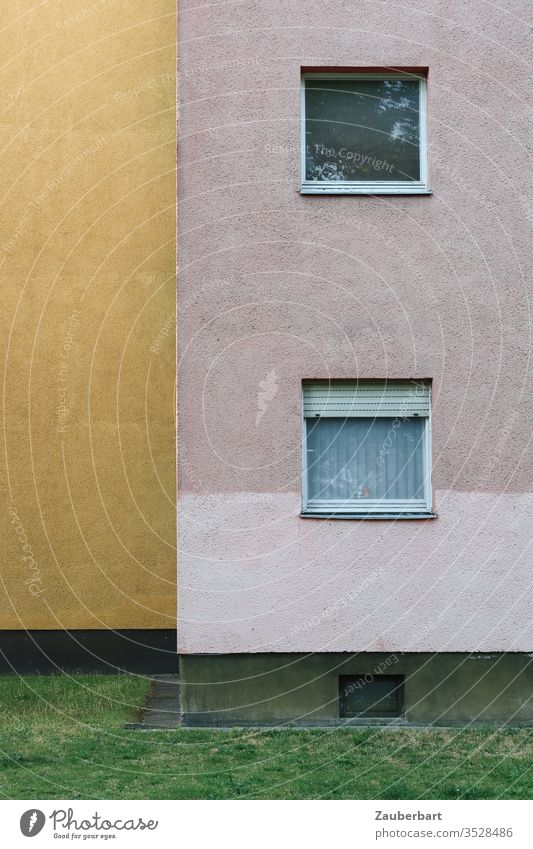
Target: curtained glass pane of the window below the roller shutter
{"points": [[358, 459]]}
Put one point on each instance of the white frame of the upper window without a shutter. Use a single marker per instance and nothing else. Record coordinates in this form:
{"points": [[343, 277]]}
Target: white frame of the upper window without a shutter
{"points": [[365, 187]]}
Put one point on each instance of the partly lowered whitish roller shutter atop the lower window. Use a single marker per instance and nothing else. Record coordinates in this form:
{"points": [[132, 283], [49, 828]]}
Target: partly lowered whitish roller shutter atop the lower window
{"points": [[371, 398]]}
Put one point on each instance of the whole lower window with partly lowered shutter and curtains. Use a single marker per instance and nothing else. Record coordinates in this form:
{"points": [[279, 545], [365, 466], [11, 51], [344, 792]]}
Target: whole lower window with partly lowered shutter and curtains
{"points": [[366, 448]]}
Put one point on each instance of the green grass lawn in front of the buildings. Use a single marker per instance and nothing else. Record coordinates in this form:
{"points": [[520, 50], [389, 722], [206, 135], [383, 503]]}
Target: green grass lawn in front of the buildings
{"points": [[62, 737]]}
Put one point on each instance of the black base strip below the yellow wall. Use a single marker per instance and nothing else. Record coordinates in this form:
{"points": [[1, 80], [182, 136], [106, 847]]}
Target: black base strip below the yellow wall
{"points": [[107, 651]]}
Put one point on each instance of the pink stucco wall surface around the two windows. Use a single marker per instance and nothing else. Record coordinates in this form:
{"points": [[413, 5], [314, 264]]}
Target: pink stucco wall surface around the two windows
{"points": [[310, 287]]}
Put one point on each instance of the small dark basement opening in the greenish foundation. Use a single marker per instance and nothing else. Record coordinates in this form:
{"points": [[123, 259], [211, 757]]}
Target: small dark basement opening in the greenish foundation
{"points": [[371, 695]]}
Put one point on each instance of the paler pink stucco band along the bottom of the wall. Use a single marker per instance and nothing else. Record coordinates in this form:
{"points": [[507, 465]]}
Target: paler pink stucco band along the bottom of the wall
{"points": [[261, 577]]}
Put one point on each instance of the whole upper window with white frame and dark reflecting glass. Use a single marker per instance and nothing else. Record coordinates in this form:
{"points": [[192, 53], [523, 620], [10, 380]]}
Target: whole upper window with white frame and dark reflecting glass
{"points": [[364, 133]]}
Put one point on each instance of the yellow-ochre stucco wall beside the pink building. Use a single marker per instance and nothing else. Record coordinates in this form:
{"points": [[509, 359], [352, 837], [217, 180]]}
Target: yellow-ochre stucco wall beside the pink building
{"points": [[87, 245]]}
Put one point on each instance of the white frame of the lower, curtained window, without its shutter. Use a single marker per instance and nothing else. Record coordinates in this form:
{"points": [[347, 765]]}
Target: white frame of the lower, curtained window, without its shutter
{"points": [[412, 508]]}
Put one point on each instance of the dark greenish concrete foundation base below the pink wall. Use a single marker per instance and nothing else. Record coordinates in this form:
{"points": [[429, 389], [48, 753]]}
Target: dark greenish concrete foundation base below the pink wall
{"points": [[308, 690]]}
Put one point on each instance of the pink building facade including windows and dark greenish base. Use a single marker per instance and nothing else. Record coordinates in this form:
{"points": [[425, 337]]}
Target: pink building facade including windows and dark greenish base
{"points": [[354, 378]]}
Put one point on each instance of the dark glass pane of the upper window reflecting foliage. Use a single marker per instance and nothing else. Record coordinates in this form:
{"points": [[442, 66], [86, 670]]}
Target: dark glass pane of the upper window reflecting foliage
{"points": [[362, 130]]}
